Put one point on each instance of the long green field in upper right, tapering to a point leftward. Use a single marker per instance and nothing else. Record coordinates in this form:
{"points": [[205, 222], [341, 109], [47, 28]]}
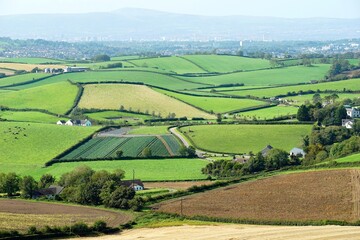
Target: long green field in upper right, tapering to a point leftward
{"points": [[289, 75]]}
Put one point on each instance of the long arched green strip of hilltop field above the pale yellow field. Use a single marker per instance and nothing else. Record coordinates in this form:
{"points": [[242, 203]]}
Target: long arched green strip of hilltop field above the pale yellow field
{"points": [[150, 78]]}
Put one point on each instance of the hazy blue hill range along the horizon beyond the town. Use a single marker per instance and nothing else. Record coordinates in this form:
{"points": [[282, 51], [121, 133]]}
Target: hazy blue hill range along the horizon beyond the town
{"points": [[141, 24]]}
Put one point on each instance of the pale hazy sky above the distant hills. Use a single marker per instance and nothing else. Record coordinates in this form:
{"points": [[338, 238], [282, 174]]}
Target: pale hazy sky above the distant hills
{"points": [[277, 8]]}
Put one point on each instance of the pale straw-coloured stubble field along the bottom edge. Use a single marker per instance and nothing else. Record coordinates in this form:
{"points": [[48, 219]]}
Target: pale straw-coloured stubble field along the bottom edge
{"points": [[239, 232]]}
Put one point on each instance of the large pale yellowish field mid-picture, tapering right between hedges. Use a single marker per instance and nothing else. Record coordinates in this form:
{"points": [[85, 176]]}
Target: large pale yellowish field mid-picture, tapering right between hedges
{"points": [[136, 98]]}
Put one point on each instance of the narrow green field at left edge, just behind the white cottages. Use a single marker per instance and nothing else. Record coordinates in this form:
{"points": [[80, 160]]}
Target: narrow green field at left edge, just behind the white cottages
{"points": [[28, 116]]}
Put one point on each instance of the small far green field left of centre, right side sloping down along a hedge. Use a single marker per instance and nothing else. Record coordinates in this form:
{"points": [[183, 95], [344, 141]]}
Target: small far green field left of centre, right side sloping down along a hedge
{"points": [[173, 64]]}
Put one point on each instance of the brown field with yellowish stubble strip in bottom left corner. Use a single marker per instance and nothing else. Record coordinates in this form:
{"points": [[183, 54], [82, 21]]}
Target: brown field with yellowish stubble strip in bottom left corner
{"points": [[20, 215]]}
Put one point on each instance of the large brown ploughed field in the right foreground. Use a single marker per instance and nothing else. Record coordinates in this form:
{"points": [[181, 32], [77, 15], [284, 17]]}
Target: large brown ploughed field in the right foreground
{"points": [[319, 195]]}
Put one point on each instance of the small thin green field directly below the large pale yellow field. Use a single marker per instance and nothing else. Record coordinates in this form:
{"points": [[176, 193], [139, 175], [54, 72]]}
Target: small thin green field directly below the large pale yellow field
{"points": [[118, 117]]}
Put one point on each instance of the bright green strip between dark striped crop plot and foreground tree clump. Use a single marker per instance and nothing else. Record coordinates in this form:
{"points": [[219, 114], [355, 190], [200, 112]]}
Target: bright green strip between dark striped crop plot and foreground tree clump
{"points": [[146, 170]]}
